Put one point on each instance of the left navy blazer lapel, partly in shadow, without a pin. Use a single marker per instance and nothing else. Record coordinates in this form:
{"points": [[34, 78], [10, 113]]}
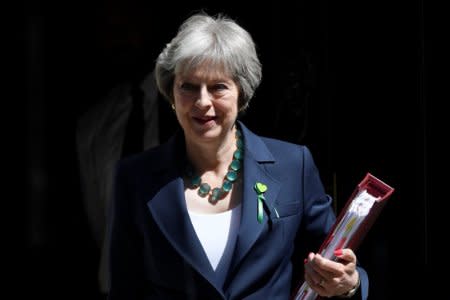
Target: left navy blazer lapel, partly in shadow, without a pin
{"points": [[168, 208]]}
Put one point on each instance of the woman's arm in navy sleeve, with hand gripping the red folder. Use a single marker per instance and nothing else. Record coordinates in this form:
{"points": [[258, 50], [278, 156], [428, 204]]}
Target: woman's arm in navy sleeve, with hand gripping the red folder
{"points": [[326, 277]]}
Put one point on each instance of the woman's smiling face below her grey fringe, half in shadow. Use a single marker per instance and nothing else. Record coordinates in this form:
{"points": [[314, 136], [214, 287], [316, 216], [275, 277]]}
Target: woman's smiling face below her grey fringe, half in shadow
{"points": [[206, 104]]}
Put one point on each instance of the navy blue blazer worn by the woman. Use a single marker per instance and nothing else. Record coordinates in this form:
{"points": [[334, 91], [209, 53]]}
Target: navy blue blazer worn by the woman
{"points": [[155, 252]]}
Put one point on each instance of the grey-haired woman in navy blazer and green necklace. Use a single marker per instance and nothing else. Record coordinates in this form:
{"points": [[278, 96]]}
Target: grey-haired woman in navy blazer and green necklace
{"points": [[218, 212]]}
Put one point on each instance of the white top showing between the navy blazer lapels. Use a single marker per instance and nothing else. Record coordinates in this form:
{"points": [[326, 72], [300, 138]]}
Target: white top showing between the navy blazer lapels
{"points": [[215, 231]]}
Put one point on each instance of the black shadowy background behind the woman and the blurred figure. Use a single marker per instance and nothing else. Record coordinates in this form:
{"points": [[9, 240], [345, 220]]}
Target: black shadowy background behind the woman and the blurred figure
{"points": [[347, 80]]}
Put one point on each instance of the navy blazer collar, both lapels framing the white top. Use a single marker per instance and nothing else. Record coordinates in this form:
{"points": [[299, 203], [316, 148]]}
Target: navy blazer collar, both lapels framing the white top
{"points": [[168, 206]]}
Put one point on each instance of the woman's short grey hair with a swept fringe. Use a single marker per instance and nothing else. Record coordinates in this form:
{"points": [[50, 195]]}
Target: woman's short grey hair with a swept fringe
{"points": [[220, 42]]}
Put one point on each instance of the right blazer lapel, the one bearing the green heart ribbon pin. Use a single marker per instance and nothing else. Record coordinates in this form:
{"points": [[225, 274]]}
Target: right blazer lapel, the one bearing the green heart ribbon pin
{"points": [[255, 155]]}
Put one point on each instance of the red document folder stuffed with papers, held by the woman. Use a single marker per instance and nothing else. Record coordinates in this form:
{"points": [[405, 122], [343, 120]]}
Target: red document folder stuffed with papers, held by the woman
{"points": [[376, 188]]}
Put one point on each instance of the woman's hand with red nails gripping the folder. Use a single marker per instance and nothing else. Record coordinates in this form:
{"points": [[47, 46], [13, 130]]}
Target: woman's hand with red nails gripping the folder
{"points": [[332, 278]]}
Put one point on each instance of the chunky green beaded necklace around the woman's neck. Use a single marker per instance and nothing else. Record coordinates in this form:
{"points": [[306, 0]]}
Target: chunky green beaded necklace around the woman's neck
{"points": [[204, 189]]}
